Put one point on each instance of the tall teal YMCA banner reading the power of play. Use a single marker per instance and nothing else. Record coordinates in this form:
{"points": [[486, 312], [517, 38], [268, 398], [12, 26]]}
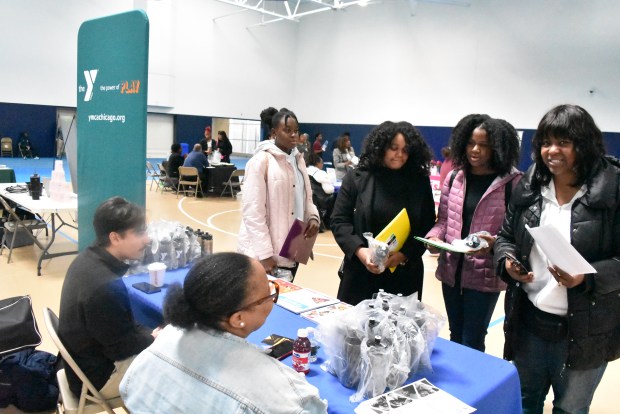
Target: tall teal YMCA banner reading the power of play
{"points": [[112, 83]]}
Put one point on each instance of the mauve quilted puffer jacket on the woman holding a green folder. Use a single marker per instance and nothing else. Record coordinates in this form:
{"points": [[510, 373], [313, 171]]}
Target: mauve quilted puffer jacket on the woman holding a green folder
{"points": [[477, 272]]}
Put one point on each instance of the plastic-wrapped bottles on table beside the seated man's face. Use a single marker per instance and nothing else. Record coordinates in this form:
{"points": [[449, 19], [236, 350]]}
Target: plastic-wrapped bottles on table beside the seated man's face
{"points": [[170, 243]]}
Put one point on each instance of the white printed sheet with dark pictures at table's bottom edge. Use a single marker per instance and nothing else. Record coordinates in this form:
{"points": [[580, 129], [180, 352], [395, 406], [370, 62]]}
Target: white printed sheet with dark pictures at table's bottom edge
{"points": [[420, 397]]}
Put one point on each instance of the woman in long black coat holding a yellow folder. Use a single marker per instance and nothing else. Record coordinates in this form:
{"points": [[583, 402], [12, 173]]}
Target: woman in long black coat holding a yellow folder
{"points": [[393, 173]]}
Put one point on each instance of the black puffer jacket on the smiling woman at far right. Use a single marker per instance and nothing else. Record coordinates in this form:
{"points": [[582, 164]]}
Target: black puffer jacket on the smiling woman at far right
{"points": [[594, 305]]}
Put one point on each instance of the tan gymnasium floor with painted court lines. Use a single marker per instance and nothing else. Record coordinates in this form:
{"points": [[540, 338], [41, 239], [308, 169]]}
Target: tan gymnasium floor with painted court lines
{"points": [[221, 216]]}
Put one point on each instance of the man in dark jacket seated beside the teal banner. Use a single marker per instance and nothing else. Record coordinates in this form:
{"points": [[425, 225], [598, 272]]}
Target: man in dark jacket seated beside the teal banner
{"points": [[96, 322]]}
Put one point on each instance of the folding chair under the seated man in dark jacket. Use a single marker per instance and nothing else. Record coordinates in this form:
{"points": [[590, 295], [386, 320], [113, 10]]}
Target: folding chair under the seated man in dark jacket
{"points": [[90, 401]]}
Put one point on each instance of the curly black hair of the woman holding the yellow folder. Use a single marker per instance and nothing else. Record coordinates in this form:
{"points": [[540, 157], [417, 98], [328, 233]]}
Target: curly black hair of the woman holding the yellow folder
{"points": [[380, 139]]}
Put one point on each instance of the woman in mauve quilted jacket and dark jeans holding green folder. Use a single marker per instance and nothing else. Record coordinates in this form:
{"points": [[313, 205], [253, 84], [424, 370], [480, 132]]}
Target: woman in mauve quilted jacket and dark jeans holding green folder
{"points": [[474, 196]]}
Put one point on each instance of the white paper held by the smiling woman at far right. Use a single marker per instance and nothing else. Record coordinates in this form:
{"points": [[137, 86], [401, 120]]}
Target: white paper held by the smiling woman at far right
{"points": [[559, 251]]}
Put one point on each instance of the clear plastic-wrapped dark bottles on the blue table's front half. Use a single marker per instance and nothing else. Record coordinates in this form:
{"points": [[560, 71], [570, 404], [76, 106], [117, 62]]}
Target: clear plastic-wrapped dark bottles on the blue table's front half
{"points": [[380, 343]]}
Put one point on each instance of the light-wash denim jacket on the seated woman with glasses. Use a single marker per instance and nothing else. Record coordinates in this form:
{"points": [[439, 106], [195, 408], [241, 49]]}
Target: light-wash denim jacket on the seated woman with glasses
{"points": [[211, 371]]}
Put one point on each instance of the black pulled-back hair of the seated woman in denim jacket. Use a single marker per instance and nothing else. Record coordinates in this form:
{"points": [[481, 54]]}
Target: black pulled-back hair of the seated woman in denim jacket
{"points": [[214, 287]]}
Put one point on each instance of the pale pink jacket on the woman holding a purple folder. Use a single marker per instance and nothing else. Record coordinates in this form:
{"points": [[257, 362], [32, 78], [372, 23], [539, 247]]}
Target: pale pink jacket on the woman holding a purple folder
{"points": [[268, 204]]}
